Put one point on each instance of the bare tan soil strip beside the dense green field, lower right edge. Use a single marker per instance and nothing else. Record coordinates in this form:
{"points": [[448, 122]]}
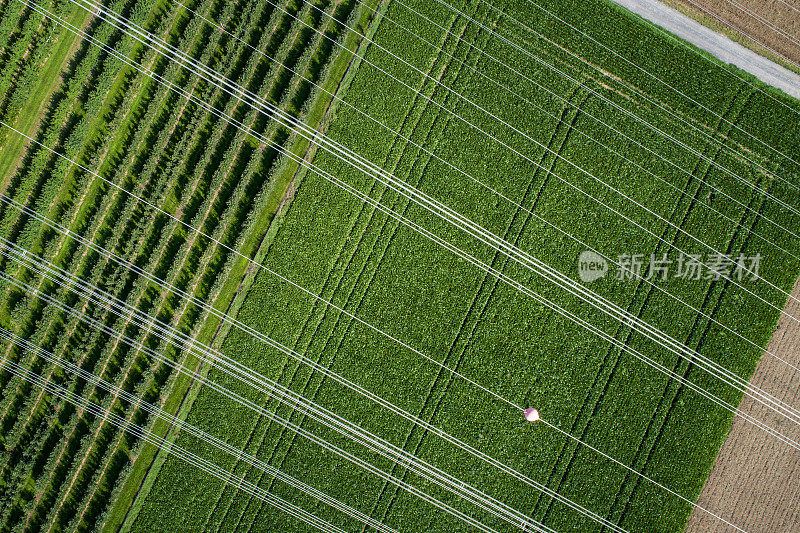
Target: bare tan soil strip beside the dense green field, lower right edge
{"points": [[754, 481]]}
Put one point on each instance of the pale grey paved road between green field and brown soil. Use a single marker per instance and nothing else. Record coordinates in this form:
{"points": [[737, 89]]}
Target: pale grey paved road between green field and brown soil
{"points": [[716, 44]]}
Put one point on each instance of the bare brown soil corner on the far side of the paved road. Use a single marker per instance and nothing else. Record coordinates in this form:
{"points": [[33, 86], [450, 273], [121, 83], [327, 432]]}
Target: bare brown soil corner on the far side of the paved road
{"points": [[771, 28]]}
